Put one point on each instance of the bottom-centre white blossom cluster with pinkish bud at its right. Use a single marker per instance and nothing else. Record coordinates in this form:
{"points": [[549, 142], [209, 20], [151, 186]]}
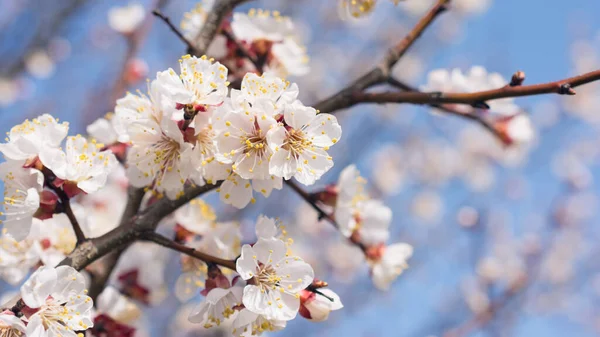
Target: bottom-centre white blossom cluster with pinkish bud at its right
{"points": [[271, 287]]}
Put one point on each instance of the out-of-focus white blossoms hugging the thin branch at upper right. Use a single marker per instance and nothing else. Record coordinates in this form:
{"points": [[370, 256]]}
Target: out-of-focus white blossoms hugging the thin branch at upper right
{"points": [[511, 123]]}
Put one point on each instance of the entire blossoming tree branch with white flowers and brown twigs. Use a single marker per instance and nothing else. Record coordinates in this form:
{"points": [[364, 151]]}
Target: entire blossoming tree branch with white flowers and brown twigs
{"points": [[226, 121]]}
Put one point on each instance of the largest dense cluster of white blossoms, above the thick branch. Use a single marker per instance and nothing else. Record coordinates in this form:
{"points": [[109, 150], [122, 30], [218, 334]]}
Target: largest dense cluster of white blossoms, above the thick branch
{"points": [[187, 129]]}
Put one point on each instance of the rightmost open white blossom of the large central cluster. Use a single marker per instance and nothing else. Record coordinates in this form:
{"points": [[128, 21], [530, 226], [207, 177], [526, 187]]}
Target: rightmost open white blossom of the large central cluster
{"points": [[300, 147]]}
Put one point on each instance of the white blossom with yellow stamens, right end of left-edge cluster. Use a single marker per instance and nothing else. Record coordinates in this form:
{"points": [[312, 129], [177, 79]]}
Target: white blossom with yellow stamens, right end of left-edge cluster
{"points": [[84, 163]]}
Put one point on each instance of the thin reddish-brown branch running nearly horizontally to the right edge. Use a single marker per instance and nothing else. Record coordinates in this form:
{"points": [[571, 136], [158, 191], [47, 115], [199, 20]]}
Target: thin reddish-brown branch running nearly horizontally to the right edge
{"points": [[561, 87]]}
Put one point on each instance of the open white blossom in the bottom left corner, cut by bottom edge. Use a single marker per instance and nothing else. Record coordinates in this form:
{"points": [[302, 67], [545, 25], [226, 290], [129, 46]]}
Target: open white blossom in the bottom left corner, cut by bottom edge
{"points": [[59, 296]]}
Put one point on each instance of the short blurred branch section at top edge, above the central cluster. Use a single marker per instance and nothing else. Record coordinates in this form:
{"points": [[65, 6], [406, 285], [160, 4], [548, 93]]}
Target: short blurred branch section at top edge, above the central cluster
{"points": [[212, 24]]}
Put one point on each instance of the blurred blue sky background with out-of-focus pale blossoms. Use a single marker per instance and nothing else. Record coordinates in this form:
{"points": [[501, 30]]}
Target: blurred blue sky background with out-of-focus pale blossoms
{"points": [[505, 238]]}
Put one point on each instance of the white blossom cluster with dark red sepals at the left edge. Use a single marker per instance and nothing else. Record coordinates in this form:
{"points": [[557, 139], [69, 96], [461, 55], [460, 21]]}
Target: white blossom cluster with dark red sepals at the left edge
{"points": [[37, 172]]}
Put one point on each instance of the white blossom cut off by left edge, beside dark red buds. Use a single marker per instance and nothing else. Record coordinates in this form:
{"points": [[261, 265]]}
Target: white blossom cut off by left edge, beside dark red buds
{"points": [[22, 187]]}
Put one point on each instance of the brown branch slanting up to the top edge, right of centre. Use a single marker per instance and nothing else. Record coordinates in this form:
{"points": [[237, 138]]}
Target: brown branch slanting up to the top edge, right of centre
{"points": [[380, 73]]}
